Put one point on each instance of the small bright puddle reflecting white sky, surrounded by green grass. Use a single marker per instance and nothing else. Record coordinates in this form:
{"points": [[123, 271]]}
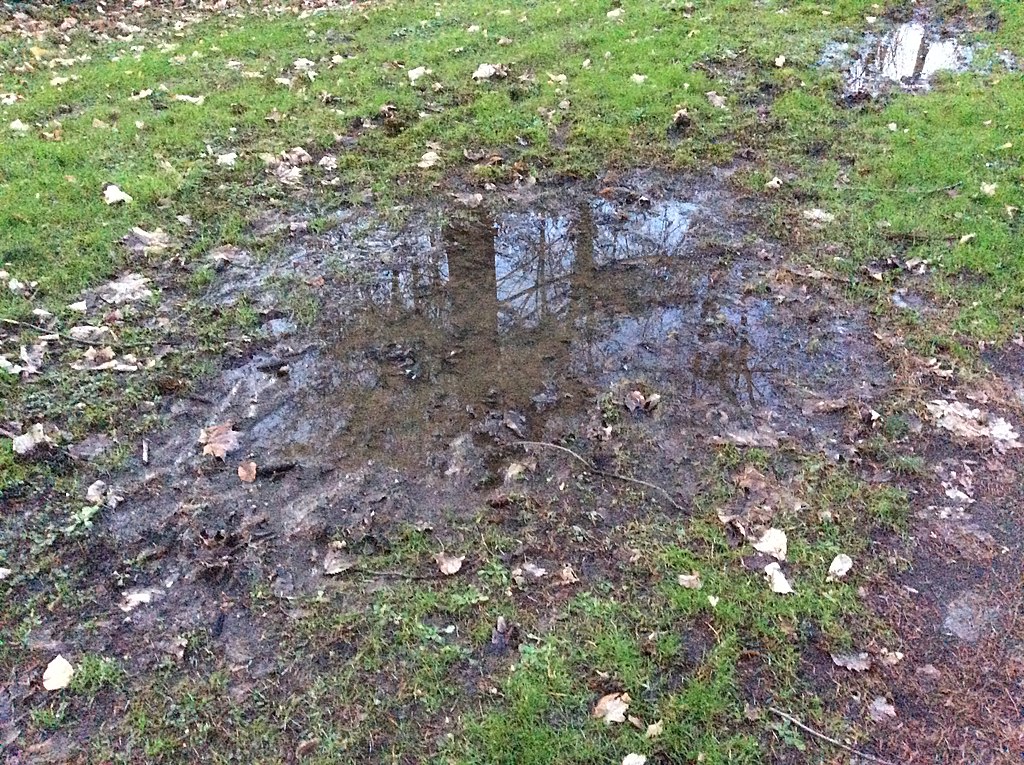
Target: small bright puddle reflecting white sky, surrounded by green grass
{"points": [[909, 57]]}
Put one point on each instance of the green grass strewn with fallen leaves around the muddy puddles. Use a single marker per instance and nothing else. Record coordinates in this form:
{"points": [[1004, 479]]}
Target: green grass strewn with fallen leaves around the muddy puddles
{"points": [[409, 672]]}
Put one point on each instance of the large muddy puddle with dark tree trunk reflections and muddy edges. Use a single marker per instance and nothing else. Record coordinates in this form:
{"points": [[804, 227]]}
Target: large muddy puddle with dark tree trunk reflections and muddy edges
{"points": [[443, 344]]}
